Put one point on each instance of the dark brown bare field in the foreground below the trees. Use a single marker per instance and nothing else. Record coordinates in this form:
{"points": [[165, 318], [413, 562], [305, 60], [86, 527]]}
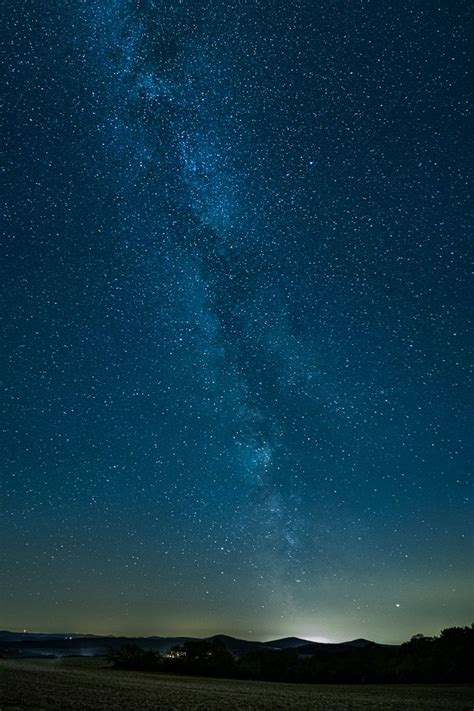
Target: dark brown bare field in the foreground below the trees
{"points": [[89, 684]]}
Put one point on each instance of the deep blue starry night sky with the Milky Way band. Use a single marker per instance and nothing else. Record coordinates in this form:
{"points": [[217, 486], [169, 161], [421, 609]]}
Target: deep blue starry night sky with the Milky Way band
{"points": [[235, 385]]}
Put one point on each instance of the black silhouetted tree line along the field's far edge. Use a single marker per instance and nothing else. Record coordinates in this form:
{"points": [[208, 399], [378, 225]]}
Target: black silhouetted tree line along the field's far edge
{"points": [[448, 657]]}
